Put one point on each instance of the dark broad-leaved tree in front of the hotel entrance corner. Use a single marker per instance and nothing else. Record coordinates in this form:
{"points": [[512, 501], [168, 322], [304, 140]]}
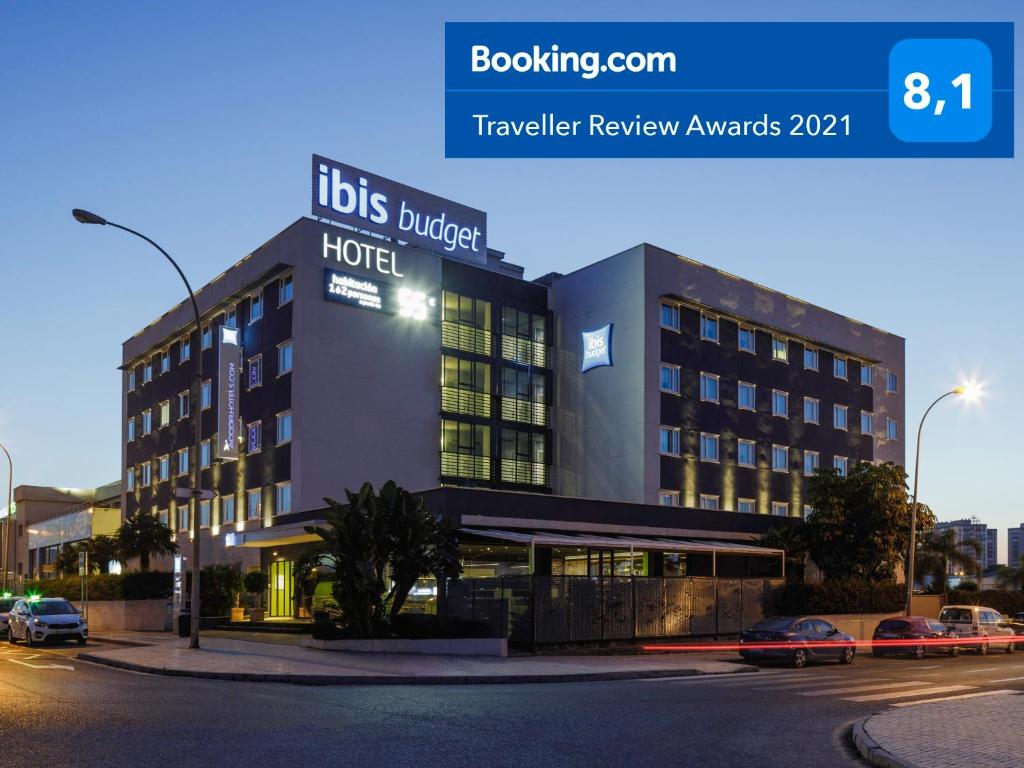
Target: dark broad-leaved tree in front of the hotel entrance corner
{"points": [[375, 535]]}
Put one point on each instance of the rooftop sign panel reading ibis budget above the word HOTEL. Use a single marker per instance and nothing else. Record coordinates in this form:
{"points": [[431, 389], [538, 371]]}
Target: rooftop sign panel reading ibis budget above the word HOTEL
{"points": [[366, 201]]}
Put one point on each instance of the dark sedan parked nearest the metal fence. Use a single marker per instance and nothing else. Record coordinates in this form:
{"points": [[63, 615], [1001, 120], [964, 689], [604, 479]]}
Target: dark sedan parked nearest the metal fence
{"points": [[798, 641]]}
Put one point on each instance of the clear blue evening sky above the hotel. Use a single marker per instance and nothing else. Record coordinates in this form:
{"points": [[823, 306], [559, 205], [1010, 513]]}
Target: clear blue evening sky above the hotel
{"points": [[195, 122]]}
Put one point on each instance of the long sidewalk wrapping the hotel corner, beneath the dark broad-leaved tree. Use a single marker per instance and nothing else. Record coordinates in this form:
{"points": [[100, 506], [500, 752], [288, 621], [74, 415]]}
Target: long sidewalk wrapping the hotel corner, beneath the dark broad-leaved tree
{"points": [[260, 661]]}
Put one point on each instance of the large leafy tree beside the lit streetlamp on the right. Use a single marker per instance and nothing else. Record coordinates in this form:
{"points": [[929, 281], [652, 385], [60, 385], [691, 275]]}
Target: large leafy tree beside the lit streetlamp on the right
{"points": [[862, 524]]}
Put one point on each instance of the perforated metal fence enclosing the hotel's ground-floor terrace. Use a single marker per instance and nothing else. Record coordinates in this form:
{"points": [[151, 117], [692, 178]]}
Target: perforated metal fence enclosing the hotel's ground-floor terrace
{"points": [[551, 611]]}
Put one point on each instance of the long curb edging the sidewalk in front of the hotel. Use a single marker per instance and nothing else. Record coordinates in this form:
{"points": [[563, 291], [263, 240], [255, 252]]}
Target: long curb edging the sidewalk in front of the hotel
{"points": [[403, 679]]}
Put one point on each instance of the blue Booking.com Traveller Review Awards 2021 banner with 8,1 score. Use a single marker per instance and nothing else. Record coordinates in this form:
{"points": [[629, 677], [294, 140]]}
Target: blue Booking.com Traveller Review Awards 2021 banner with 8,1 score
{"points": [[729, 90]]}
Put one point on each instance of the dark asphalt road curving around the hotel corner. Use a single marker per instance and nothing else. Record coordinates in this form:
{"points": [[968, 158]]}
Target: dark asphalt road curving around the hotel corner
{"points": [[59, 711]]}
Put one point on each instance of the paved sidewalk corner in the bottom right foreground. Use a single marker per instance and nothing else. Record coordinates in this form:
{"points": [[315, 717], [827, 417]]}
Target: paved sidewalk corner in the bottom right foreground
{"points": [[982, 732]]}
